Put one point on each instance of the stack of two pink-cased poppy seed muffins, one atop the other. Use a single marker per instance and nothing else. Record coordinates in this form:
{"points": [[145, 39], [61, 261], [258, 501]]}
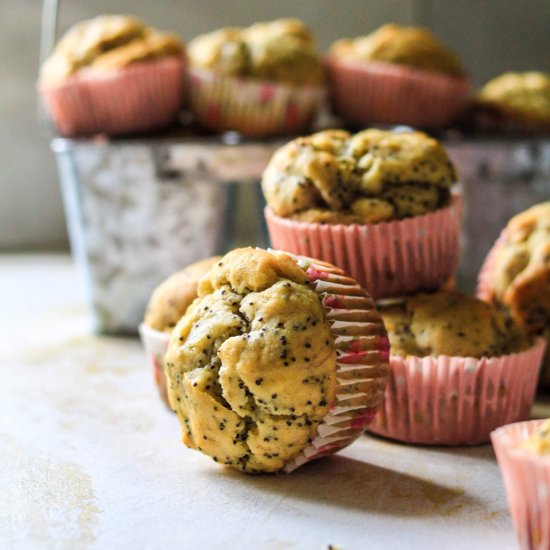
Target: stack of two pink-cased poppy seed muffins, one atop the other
{"points": [[380, 205]]}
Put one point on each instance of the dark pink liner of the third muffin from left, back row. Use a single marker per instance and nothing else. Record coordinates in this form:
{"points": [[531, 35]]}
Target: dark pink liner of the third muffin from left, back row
{"points": [[365, 92]]}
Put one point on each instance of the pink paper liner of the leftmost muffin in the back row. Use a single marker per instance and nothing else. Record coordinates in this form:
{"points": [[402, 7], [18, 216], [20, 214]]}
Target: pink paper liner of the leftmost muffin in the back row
{"points": [[139, 97]]}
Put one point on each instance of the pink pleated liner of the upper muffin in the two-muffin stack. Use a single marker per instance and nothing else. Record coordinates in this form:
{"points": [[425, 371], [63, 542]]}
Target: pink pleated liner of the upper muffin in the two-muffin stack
{"points": [[387, 259]]}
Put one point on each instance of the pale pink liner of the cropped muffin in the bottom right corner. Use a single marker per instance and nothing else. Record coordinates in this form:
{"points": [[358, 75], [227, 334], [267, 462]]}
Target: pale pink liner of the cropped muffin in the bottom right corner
{"points": [[527, 480]]}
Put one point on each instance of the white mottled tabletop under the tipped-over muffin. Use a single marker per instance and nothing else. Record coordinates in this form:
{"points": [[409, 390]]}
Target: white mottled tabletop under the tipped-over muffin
{"points": [[89, 457]]}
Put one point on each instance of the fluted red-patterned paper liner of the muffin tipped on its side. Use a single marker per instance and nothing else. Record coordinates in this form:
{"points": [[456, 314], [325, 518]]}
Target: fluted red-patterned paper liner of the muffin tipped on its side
{"points": [[361, 362]]}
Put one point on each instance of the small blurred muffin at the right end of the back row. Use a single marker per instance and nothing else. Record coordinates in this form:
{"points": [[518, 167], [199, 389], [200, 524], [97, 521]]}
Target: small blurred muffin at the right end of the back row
{"points": [[515, 103]]}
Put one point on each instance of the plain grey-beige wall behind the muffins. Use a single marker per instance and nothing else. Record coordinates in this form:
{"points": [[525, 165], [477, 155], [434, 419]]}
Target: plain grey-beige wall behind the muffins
{"points": [[490, 36]]}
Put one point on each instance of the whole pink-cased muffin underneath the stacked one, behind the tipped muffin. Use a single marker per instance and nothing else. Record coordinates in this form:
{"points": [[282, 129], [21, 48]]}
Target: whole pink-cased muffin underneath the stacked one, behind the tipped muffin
{"points": [[458, 369]]}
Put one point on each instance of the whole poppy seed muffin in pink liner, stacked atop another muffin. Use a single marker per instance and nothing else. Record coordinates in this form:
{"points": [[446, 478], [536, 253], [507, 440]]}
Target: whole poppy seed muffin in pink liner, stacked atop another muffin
{"points": [[377, 203]]}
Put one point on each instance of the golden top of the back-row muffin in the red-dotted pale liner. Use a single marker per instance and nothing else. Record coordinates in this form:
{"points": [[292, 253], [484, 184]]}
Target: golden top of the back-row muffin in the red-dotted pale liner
{"points": [[280, 51]]}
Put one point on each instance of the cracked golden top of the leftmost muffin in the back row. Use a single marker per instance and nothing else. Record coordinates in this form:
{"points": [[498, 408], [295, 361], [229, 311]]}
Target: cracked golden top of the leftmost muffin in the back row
{"points": [[107, 42]]}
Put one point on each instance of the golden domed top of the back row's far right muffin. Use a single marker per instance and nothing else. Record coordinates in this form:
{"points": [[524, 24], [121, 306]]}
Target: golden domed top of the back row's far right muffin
{"points": [[520, 94]]}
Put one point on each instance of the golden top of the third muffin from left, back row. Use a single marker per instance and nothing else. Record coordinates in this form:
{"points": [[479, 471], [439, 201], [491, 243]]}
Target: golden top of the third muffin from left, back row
{"points": [[411, 46]]}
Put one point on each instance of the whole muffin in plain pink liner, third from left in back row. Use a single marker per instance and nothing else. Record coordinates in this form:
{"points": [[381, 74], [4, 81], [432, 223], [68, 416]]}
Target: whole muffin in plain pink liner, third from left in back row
{"points": [[397, 75]]}
